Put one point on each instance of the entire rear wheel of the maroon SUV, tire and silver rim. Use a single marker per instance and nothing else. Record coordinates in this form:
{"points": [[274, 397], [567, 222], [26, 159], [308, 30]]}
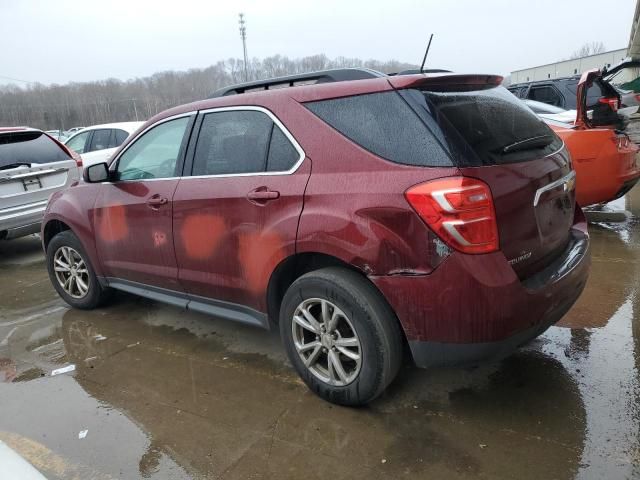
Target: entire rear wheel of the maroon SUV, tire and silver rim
{"points": [[341, 335]]}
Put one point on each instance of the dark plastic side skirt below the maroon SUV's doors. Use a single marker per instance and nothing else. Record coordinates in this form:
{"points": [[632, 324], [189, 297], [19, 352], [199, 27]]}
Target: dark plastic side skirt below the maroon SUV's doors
{"points": [[209, 306]]}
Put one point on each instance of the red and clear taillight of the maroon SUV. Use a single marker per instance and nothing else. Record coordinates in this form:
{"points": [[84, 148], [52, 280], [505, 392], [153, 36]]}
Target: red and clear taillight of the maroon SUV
{"points": [[459, 210]]}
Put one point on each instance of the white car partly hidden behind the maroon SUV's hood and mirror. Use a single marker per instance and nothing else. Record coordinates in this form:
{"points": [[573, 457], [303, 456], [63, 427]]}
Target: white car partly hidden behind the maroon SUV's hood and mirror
{"points": [[96, 144]]}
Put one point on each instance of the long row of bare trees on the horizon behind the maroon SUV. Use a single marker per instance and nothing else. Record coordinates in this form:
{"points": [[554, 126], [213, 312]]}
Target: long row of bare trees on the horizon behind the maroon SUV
{"points": [[112, 100]]}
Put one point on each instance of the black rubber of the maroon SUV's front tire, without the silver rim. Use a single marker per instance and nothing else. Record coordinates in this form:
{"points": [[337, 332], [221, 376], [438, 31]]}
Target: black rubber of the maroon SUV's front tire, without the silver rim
{"points": [[96, 295]]}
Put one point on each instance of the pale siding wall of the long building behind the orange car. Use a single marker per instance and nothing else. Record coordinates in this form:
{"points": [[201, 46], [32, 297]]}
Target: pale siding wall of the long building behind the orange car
{"points": [[568, 68]]}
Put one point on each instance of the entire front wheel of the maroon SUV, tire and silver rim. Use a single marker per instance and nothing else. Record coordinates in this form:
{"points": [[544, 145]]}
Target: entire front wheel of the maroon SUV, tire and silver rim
{"points": [[72, 274]]}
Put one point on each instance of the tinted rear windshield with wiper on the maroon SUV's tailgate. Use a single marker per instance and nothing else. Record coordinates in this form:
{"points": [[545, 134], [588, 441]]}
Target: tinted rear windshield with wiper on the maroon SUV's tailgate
{"points": [[484, 127]]}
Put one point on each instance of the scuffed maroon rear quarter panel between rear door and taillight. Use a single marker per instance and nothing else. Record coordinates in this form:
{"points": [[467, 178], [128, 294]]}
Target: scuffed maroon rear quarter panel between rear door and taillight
{"points": [[354, 206]]}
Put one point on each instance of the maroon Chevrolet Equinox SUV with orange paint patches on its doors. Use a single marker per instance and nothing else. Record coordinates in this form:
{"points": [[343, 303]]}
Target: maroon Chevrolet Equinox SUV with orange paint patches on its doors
{"points": [[433, 212]]}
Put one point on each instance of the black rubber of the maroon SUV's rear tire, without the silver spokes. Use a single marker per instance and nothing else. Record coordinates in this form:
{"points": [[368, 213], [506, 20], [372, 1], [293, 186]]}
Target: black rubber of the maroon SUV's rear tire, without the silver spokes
{"points": [[372, 320]]}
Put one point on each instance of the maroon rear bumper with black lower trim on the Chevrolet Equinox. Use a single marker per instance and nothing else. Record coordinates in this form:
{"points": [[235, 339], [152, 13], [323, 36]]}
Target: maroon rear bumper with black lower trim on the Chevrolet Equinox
{"points": [[474, 307]]}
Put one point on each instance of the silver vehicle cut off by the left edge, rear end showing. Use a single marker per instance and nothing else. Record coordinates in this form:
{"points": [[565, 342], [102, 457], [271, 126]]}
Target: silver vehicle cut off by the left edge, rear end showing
{"points": [[32, 167]]}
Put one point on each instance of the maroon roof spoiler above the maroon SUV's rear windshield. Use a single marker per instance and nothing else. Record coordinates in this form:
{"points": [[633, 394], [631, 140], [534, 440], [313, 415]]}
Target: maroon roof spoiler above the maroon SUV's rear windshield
{"points": [[446, 82]]}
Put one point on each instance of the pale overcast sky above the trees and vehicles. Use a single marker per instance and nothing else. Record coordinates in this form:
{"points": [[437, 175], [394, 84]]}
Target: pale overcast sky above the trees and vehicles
{"points": [[79, 40]]}
